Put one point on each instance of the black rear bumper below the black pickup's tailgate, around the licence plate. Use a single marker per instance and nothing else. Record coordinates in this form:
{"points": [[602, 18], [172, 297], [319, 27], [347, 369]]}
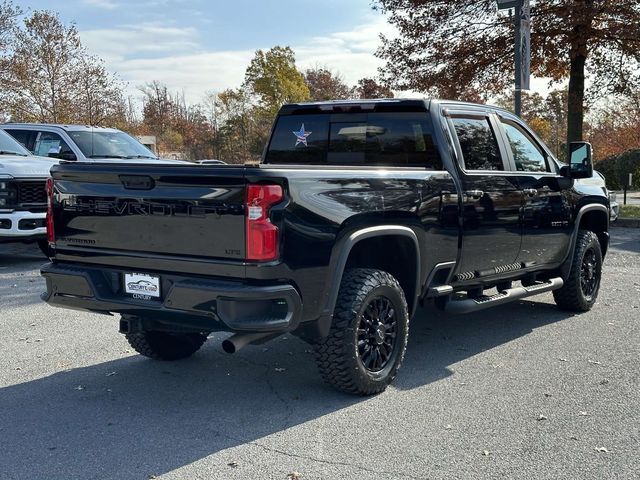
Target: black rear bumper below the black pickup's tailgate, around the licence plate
{"points": [[186, 302]]}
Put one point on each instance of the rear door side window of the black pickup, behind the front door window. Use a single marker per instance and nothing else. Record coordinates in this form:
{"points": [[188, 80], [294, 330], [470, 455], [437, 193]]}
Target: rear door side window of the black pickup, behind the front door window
{"points": [[478, 143]]}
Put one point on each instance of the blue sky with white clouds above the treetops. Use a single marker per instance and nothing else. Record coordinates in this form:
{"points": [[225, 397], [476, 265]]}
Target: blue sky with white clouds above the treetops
{"points": [[197, 45]]}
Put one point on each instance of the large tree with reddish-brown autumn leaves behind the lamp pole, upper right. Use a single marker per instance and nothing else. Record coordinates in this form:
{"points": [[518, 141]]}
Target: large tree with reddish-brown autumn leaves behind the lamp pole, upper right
{"points": [[446, 47]]}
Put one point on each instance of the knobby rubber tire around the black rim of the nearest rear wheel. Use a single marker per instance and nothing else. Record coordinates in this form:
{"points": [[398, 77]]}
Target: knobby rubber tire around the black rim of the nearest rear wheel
{"points": [[337, 356]]}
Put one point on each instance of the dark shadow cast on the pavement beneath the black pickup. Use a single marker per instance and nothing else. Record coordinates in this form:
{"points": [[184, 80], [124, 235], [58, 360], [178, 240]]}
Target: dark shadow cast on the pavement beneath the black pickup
{"points": [[134, 417]]}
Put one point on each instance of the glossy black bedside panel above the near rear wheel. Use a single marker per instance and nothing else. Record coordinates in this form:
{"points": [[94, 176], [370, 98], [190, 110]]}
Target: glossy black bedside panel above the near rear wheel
{"points": [[326, 204]]}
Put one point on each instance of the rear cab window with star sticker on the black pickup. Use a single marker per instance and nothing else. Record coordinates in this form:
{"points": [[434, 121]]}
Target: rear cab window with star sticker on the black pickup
{"points": [[375, 139]]}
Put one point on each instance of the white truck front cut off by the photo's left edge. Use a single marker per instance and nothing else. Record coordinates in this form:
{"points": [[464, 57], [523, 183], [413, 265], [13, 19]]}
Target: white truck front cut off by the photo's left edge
{"points": [[23, 196]]}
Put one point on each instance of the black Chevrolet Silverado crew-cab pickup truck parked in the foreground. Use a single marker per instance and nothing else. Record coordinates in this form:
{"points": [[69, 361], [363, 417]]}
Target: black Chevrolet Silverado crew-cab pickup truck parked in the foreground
{"points": [[359, 212]]}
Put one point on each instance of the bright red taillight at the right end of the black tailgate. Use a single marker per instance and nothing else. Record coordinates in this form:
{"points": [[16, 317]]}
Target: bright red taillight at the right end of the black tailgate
{"points": [[262, 235]]}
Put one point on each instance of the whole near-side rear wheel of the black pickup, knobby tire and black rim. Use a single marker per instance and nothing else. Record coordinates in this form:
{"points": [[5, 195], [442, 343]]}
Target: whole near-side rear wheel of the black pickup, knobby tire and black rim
{"points": [[368, 337]]}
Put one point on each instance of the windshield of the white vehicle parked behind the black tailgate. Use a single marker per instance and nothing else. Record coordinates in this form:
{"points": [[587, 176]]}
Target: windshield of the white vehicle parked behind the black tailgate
{"points": [[99, 144]]}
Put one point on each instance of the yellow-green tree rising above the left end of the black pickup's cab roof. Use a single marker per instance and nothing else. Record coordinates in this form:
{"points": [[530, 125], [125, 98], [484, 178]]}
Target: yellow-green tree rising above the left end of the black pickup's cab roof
{"points": [[273, 77]]}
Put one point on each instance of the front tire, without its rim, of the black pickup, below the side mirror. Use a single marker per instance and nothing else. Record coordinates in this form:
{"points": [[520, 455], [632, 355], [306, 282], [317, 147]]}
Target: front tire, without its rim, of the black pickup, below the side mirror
{"points": [[571, 297]]}
